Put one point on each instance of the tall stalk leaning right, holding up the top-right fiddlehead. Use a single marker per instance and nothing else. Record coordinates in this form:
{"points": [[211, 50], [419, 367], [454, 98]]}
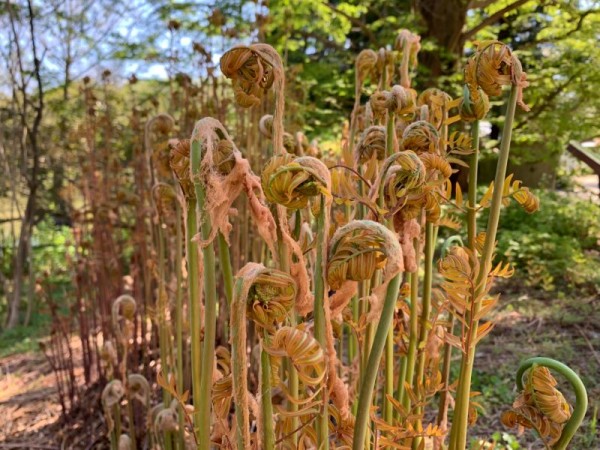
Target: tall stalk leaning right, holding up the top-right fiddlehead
{"points": [[458, 434]]}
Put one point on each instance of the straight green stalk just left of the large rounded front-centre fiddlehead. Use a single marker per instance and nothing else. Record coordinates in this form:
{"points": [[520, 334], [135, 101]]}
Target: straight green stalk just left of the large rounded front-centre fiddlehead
{"points": [[322, 421]]}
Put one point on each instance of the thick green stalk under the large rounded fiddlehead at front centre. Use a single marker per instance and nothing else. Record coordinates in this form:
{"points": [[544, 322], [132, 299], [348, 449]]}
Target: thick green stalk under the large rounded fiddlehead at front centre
{"points": [[370, 375]]}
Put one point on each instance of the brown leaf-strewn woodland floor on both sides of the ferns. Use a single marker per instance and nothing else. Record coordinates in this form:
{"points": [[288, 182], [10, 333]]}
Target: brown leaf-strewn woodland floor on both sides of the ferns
{"points": [[528, 324]]}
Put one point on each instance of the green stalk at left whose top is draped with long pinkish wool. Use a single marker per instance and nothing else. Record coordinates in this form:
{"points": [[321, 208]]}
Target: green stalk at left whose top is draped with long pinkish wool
{"points": [[210, 307]]}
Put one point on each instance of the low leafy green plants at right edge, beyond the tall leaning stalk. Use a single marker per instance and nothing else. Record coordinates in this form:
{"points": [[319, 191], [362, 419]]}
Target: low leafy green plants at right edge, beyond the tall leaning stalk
{"points": [[556, 247]]}
